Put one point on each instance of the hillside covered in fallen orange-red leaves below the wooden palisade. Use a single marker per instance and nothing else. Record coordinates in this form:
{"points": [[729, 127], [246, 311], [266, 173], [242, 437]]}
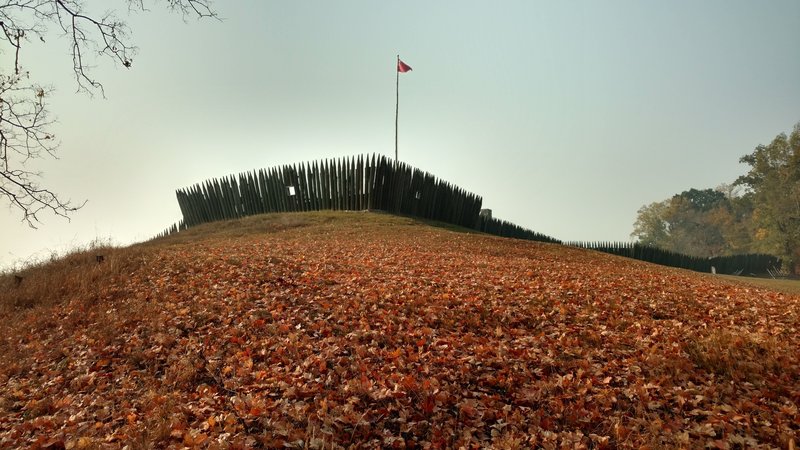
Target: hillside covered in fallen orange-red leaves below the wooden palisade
{"points": [[361, 330]]}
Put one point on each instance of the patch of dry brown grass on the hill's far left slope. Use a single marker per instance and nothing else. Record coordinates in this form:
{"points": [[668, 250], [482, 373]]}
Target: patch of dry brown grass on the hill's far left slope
{"points": [[66, 294]]}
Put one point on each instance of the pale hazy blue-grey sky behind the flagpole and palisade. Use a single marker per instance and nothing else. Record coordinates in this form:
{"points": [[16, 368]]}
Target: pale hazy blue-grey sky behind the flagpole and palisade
{"points": [[565, 117]]}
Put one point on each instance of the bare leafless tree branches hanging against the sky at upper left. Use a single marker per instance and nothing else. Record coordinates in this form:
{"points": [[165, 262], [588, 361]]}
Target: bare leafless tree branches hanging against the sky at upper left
{"points": [[26, 125]]}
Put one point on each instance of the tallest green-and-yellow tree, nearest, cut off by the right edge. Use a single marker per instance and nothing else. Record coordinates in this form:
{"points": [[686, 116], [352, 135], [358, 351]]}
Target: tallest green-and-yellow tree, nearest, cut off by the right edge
{"points": [[774, 183]]}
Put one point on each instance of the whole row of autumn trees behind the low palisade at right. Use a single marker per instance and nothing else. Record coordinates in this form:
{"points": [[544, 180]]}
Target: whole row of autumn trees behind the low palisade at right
{"points": [[758, 213]]}
